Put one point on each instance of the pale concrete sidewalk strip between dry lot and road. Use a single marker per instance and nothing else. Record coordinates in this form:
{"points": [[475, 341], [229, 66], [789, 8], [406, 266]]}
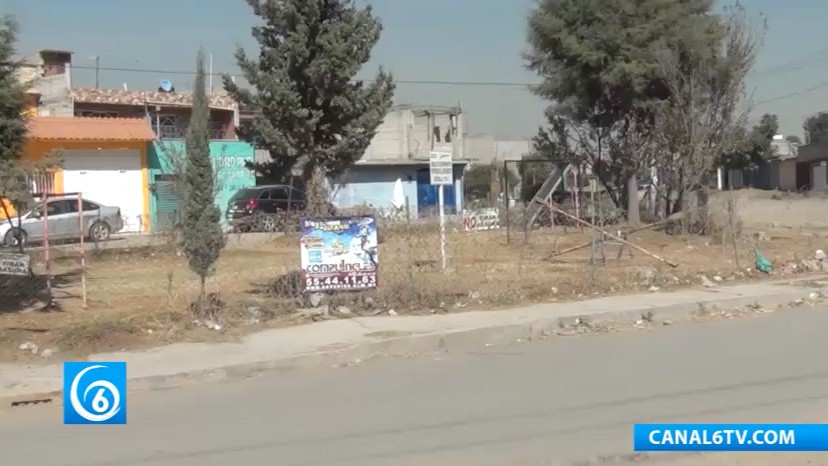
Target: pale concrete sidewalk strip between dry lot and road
{"points": [[432, 342]]}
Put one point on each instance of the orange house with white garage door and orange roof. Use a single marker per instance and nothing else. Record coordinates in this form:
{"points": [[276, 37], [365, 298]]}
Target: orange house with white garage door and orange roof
{"points": [[105, 160]]}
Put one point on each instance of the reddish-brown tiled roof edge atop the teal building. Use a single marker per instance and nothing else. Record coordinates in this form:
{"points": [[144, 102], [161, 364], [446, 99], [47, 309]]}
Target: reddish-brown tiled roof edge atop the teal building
{"points": [[140, 98]]}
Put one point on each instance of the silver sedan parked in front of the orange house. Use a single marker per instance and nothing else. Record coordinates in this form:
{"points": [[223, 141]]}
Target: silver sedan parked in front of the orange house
{"points": [[62, 222]]}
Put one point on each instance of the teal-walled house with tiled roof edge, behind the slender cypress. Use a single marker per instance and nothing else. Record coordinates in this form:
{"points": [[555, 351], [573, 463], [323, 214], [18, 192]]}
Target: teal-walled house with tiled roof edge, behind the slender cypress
{"points": [[168, 115]]}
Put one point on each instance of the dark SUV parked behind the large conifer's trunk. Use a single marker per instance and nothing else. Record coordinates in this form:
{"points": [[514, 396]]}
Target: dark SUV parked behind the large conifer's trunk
{"points": [[265, 208]]}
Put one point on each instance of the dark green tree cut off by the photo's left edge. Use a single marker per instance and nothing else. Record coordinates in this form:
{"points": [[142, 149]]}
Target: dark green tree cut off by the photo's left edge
{"points": [[14, 171]]}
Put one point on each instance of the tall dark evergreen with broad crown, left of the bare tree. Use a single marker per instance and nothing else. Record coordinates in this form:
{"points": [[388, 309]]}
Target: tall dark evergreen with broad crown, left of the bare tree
{"points": [[600, 70]]}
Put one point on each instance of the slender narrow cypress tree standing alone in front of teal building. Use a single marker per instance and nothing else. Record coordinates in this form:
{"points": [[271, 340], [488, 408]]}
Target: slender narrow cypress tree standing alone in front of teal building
{"points": [[202, 239]]}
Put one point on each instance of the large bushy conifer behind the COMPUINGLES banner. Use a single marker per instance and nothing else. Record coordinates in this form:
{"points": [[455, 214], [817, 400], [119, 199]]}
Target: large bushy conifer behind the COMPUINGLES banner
{"points": [[310, 113]]}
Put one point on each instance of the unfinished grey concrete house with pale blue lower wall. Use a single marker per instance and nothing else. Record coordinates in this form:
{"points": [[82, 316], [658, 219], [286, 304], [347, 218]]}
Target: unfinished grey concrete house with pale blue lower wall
{"points": [[400, 150]]}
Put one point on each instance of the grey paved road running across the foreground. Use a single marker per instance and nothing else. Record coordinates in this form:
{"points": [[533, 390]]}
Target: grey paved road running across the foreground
{"points": [[524, 404]]}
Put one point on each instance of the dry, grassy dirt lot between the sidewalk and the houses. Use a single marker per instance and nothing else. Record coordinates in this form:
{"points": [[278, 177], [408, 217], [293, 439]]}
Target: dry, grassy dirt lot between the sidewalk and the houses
{"points": [[140, 296]]}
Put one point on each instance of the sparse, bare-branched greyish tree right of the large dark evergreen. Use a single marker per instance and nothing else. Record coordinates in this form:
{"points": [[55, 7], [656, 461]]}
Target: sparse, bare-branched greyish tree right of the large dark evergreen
{"points": [[706, 113]]}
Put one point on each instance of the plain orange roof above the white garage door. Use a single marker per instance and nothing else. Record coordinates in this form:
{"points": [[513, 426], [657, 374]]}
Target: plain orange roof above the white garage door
{"points": [[90, 129]]}
